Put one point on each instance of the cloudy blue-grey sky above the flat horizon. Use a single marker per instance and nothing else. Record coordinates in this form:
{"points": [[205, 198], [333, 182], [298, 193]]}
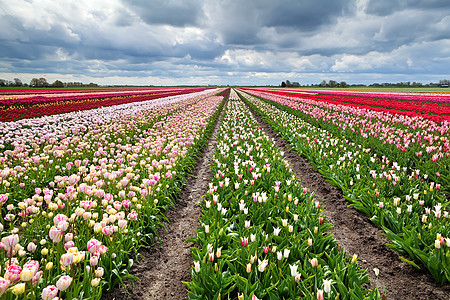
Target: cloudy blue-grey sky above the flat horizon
{"points": [[236, 42]]}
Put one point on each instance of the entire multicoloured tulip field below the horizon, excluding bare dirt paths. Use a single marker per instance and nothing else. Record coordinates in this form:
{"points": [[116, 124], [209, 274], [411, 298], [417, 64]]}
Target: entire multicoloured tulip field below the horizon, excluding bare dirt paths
{"points": [[87, 177]]}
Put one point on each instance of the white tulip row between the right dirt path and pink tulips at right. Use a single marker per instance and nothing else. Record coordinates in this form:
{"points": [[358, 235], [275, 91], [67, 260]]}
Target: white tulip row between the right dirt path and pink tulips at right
{"points": [[412, 211]]}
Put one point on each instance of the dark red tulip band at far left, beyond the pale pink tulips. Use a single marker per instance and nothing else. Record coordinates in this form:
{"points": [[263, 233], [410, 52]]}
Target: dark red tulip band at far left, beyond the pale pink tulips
{"points": [[37, 107]]}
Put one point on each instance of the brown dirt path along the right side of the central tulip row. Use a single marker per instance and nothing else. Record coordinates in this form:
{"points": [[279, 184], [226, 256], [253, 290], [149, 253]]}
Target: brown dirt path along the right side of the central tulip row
{"points": [[355, 233]]}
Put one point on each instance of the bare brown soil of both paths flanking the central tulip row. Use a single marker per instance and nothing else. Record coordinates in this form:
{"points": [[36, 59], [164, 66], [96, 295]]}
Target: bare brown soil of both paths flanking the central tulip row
{"points": [[165, 265]]}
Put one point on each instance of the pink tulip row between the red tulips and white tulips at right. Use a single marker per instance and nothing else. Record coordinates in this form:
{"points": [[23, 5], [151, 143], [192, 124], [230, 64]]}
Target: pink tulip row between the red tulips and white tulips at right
{"points": [[415, 143]]}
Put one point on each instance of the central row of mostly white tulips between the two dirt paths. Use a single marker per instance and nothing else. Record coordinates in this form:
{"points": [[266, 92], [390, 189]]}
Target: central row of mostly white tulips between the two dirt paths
{"points": [[263, 236]]}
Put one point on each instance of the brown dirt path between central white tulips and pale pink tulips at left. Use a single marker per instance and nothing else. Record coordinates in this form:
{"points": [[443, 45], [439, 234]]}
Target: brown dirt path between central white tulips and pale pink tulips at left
{"points": [[164, 266]]}
